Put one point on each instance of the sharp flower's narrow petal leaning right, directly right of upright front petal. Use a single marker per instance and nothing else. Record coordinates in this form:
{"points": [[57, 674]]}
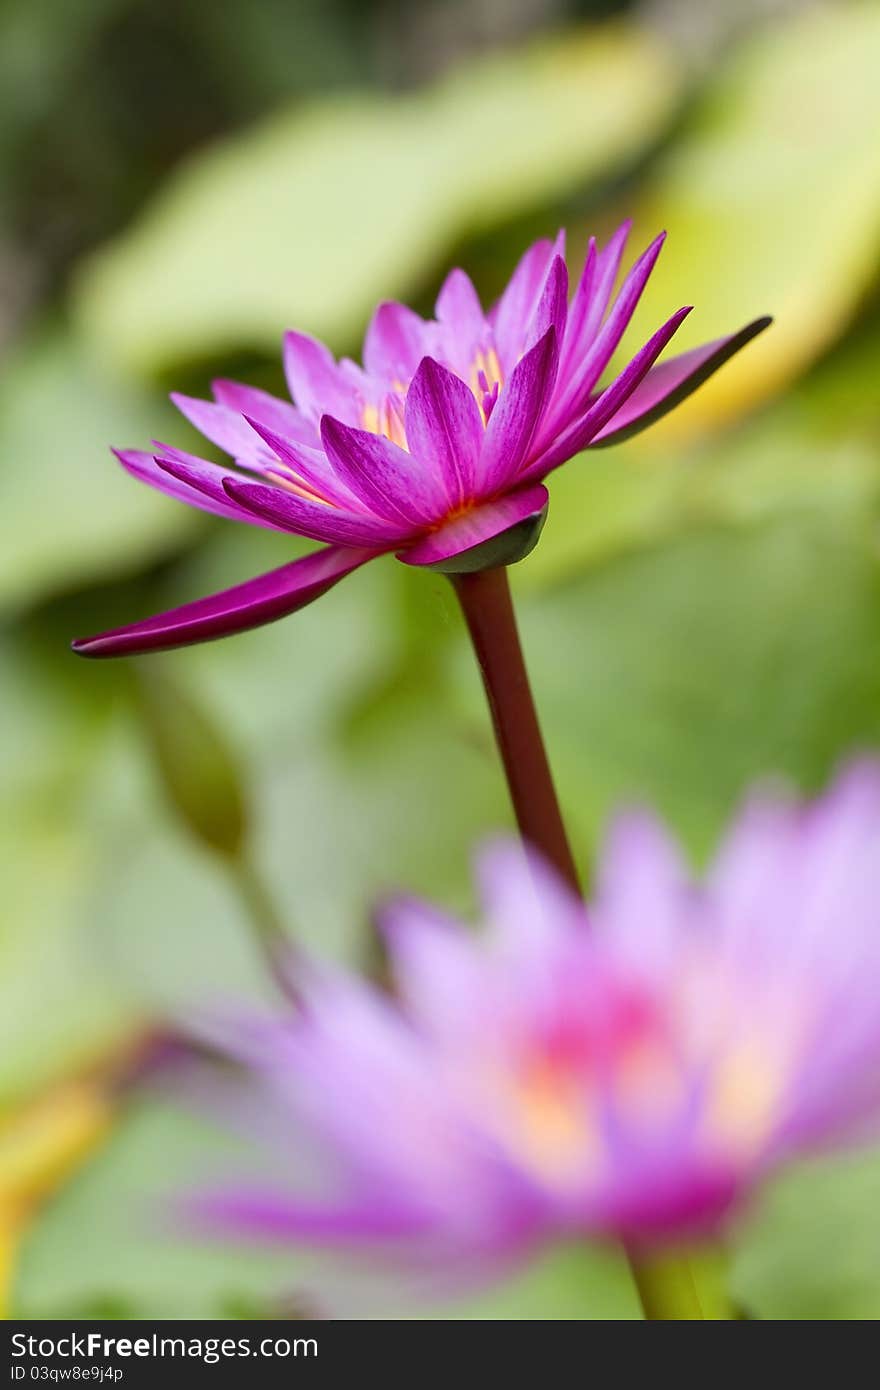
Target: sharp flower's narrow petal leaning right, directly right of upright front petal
{"points": [[514, 422]]}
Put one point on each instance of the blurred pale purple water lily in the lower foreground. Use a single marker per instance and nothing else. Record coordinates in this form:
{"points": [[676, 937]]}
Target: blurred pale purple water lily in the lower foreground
{"points": [[628, 1070]]}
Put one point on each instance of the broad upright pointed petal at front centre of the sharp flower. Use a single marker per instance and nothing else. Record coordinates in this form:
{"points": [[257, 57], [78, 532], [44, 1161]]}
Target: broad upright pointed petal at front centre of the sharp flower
{"points": [[444, 429]]}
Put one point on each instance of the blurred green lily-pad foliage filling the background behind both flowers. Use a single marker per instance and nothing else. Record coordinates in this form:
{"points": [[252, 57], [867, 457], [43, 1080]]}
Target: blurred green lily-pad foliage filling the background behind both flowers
{"points": [[704, 607]]}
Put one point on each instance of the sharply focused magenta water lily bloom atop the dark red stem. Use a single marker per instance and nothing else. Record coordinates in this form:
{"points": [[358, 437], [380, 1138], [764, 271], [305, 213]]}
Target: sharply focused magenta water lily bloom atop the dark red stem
{"points": [[436, 450]]}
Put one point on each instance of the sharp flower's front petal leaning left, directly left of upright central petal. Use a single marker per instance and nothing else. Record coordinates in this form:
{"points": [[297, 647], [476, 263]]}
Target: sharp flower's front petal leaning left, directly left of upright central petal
{"points": [[387, 479]]}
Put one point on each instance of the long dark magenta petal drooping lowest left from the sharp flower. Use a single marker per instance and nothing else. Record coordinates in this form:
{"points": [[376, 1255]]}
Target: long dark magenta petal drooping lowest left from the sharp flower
{"points": [[248, 605]]}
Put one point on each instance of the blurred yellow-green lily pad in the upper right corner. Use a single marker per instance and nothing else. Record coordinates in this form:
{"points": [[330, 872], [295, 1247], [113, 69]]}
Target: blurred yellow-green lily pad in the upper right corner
{"points": [[772, 202]]}
